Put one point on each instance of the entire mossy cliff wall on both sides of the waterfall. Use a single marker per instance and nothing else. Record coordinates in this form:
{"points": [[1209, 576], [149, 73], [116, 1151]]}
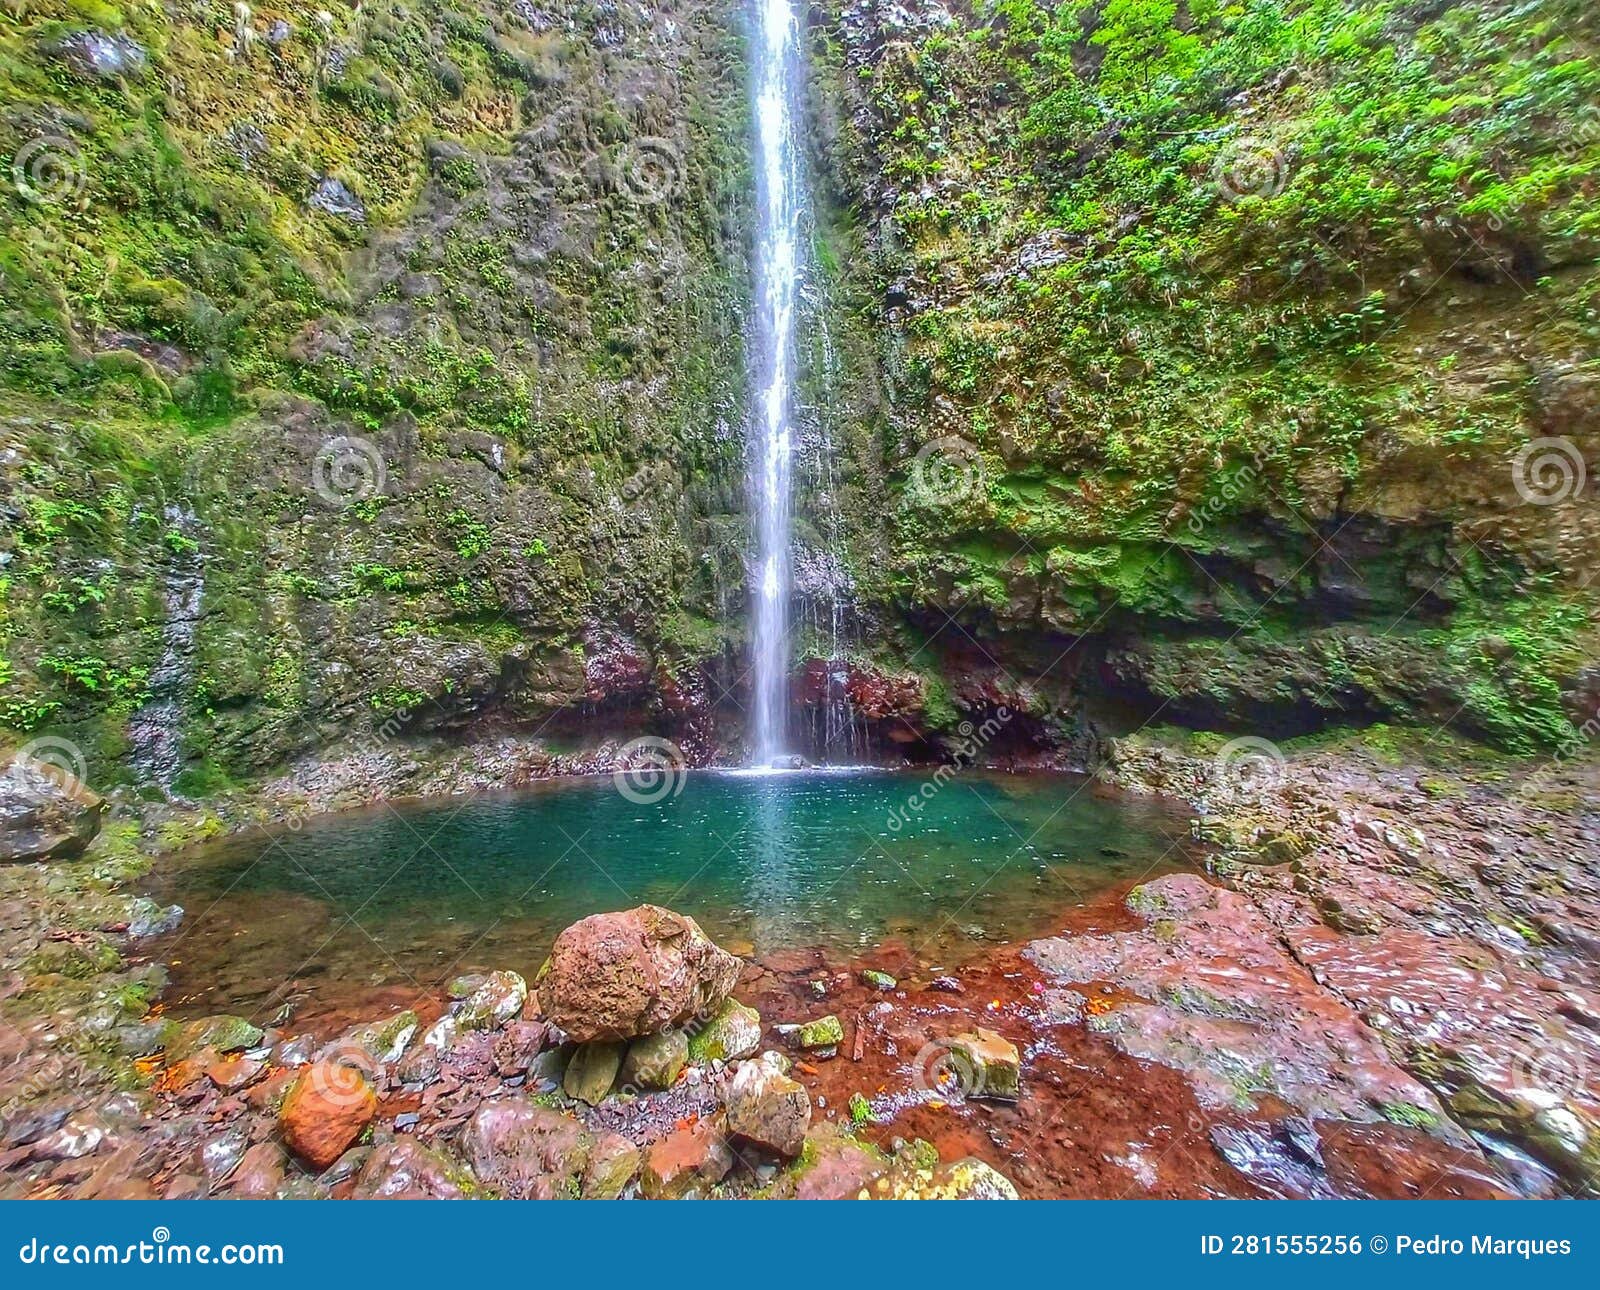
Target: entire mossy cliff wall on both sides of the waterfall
{"points": [[383, 371]]}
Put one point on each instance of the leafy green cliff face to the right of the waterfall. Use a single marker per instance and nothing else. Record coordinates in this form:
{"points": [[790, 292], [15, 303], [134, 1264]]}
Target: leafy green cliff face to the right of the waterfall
{"points": [[1234, 364]]}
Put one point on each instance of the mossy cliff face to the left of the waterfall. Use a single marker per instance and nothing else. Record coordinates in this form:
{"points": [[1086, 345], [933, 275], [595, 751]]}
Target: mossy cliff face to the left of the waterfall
{"points": [[367, 367]]}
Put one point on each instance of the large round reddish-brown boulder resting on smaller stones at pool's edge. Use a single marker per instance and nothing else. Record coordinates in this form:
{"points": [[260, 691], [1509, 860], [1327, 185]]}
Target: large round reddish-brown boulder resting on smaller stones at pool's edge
{"points": [[633, 974]]}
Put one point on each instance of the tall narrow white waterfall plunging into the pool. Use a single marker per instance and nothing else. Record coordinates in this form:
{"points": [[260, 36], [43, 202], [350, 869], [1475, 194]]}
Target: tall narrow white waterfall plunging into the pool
{"points": [[778, 196]]}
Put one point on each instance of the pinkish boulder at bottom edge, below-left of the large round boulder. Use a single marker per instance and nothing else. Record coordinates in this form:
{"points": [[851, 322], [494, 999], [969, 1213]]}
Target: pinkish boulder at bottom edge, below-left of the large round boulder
{"points": [[530, 1153]]}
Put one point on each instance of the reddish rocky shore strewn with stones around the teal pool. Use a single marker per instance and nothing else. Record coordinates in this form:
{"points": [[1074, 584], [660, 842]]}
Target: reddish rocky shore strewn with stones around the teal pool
{"points": [[1385, 988]]}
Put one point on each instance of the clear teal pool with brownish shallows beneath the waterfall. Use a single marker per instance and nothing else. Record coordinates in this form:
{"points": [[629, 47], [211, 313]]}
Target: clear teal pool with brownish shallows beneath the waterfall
{"points": [[767, 863]]}
